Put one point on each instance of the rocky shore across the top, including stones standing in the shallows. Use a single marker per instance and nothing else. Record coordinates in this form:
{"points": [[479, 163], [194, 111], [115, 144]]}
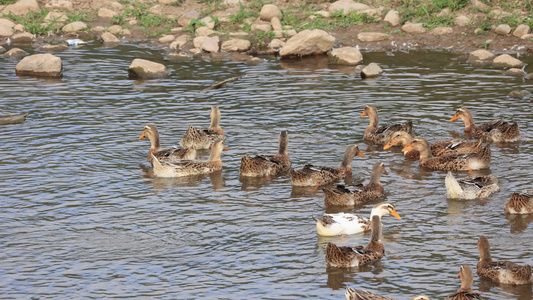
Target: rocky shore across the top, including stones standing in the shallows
{"points": [[341, 29]]}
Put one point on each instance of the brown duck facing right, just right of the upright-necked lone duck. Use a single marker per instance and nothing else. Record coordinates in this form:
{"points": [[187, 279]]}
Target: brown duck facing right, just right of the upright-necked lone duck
{"points": [[312, 175]]}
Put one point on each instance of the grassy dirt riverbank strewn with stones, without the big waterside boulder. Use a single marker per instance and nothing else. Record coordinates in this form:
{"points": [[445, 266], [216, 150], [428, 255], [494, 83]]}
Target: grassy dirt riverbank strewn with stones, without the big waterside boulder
{"points": [[458, 26]]}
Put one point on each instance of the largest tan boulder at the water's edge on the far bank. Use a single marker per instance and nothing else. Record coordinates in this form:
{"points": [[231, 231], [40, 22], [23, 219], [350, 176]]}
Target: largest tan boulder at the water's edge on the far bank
{"points": [[308, 42]]}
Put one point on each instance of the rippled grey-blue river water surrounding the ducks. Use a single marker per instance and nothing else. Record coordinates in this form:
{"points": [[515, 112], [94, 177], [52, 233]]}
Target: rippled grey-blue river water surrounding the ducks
{"points": [[81, 216]]}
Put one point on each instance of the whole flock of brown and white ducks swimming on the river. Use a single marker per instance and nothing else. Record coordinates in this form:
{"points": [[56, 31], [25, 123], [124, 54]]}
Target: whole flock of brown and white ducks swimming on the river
{"points": [[449, 155]]}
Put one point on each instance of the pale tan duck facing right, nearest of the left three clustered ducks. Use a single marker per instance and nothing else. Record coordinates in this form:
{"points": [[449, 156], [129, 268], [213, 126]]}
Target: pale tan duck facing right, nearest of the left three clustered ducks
{"points": [[186, 167]]}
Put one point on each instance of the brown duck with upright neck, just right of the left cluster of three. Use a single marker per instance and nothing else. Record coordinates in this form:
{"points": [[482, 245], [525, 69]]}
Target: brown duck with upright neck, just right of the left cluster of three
{"points": [[266, 165]]}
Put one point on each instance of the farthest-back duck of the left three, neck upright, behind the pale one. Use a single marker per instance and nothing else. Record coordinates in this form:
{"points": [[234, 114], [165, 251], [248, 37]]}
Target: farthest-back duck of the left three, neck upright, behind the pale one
{"points": [[203, 138]]}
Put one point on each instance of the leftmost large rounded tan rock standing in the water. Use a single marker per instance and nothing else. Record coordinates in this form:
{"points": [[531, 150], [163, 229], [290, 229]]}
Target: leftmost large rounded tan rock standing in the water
{"points": [[41, 65]]}
